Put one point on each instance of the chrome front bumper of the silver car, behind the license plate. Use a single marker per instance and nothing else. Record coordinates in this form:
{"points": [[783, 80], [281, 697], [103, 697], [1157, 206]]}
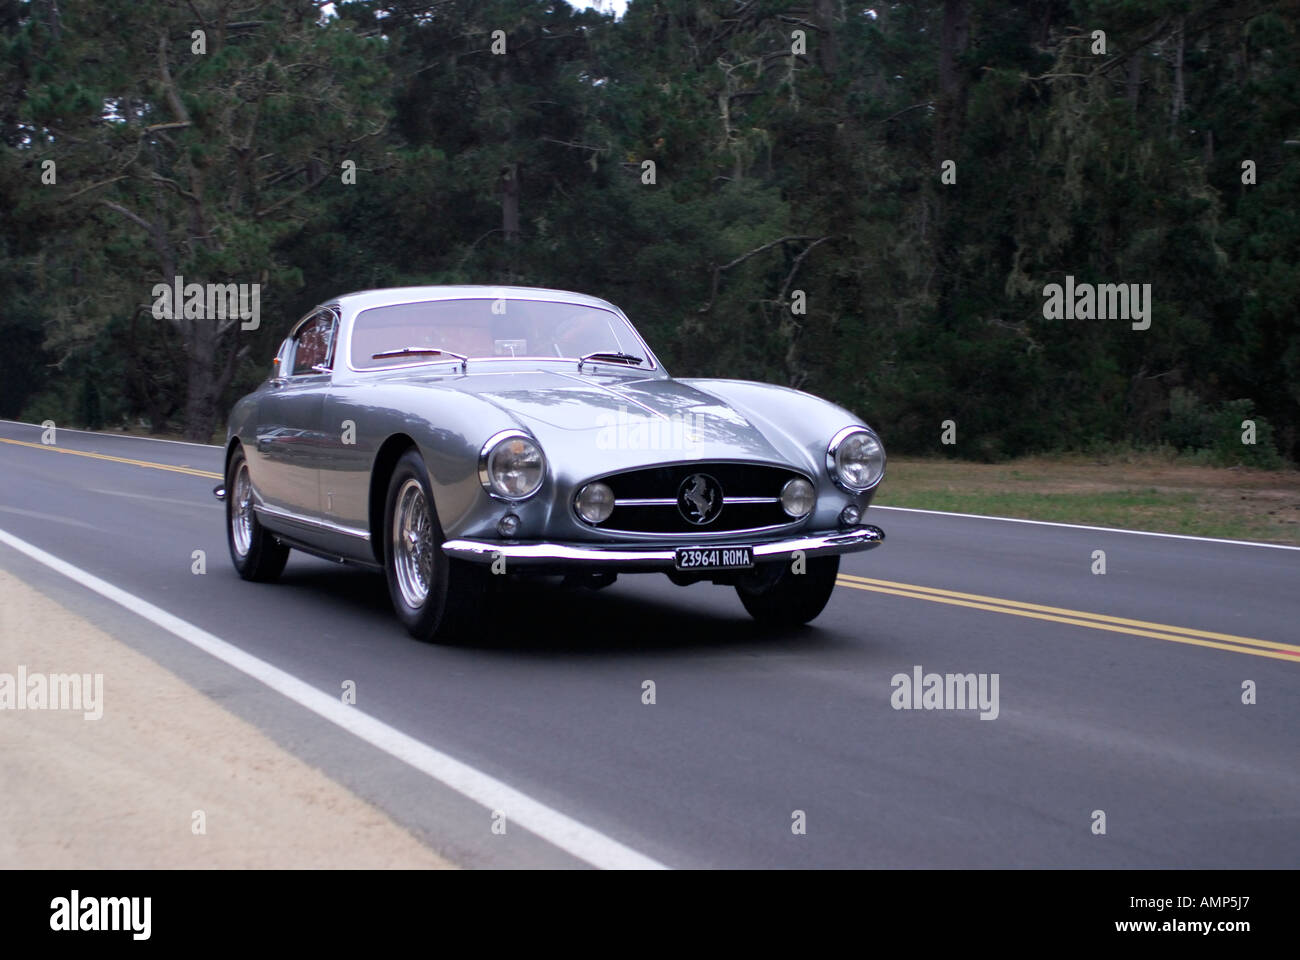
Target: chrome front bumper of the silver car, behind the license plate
{"points": [[657, 556]]}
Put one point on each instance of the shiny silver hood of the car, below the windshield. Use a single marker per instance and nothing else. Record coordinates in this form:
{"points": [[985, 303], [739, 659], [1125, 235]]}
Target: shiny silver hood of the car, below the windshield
{"points": [[629, 421]]}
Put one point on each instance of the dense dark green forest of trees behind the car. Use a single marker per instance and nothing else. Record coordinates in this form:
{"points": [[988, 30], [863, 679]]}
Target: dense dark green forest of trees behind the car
{"points": [[865, 201]]}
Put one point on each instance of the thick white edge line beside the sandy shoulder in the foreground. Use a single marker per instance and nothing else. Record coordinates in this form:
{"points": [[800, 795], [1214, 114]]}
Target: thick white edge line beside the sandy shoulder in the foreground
{"points": [[553, 827]]}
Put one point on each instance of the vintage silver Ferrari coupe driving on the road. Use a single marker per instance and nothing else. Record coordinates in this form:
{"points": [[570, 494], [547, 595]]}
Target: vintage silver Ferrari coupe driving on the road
{"points": [[460, 436]]}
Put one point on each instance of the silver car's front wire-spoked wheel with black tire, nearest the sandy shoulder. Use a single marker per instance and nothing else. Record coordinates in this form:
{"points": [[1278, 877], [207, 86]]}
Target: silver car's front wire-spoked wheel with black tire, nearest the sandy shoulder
{"points": [[454, 593]]}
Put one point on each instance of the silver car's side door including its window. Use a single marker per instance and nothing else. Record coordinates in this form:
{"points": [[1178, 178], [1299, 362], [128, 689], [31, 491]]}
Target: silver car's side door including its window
{"points": [[289, 443]]}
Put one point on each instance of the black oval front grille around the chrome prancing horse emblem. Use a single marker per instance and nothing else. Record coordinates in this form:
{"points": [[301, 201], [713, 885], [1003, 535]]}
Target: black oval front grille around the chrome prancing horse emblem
{"points": [[738, 482]]}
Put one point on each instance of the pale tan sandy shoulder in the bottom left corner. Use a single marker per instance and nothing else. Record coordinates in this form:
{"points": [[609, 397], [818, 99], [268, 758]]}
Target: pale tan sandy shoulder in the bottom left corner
{"points": [[129, 789]]}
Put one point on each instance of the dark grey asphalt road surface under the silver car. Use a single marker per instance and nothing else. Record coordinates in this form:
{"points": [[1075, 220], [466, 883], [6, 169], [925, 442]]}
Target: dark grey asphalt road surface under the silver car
{"points": [[1142, 721]]}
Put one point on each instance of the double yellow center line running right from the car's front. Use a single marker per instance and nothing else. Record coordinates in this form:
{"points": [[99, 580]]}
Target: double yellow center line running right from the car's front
{"points": [[1080, 619]]}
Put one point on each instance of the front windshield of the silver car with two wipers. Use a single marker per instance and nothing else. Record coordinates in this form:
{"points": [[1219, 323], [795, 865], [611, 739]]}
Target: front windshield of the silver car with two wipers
{"points": [[406, 334]]}
